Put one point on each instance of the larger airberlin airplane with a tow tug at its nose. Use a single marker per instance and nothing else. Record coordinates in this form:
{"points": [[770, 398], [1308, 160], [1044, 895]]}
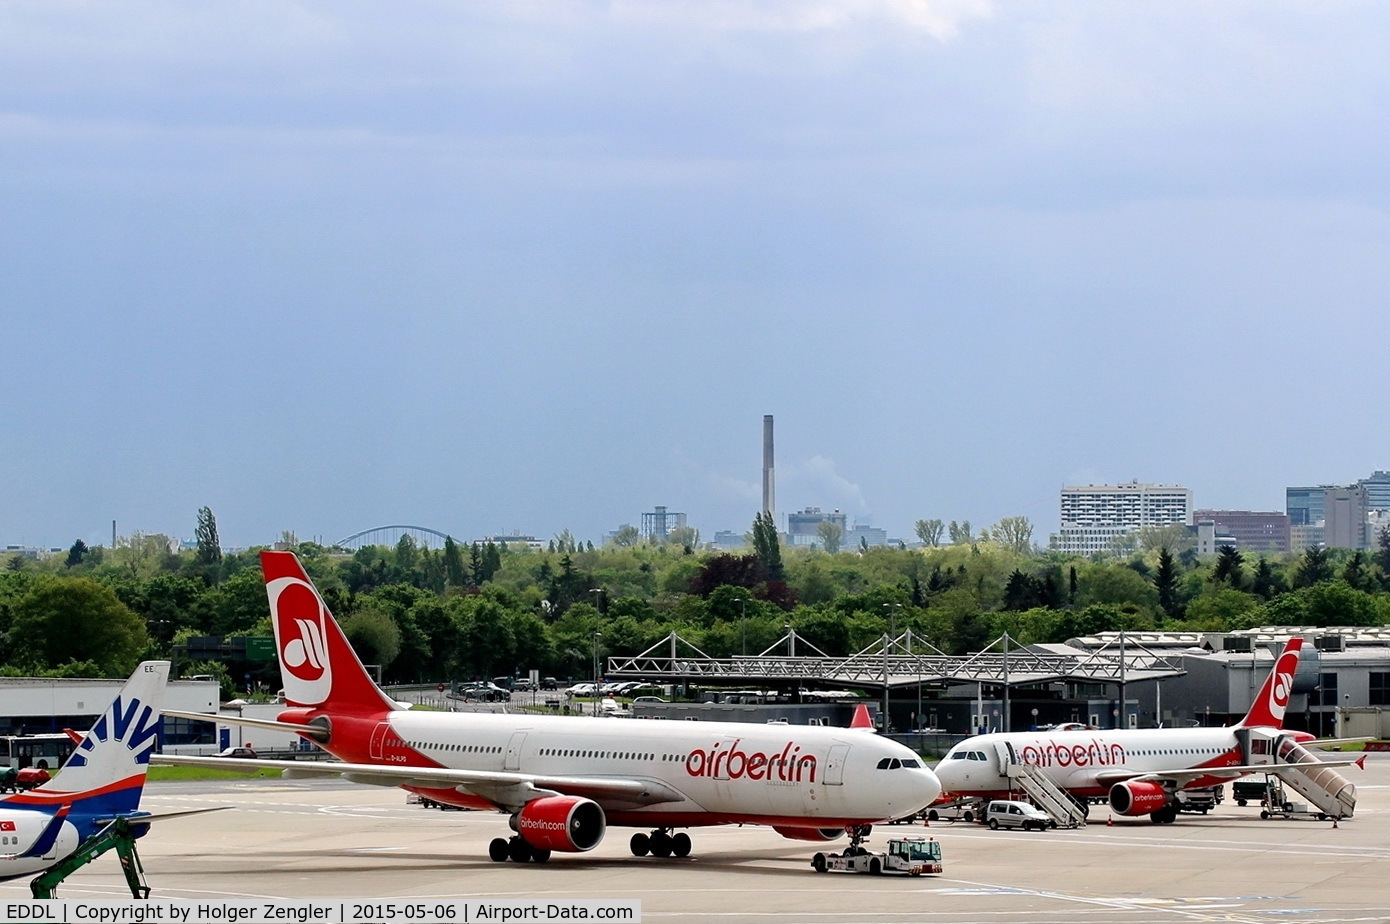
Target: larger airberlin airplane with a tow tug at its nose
{"points": [[564, 780]]}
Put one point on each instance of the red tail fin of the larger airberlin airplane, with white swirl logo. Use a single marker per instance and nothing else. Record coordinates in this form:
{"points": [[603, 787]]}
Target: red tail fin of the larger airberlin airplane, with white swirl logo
{"points": [[316, 661]]}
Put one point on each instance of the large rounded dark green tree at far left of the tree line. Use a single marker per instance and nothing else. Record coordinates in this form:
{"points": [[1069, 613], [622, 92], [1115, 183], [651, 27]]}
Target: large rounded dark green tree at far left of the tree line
{"points": [[65, 620]]}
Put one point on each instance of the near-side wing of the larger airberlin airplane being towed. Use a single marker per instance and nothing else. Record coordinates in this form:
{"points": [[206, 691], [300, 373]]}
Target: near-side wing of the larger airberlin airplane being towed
{"points": [[507, 790]]}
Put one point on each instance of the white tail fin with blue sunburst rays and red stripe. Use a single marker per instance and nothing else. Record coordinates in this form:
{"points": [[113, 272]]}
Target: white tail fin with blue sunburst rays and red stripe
{"points": [[106, 773]]}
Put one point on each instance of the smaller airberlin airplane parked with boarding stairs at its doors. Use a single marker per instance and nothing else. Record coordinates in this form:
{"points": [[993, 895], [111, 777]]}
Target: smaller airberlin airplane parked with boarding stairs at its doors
{"points": [[1142, 770]]}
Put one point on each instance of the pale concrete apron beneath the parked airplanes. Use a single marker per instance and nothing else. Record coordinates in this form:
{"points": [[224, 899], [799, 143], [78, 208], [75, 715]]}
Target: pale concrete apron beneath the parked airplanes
{"points": [[333, 840]]}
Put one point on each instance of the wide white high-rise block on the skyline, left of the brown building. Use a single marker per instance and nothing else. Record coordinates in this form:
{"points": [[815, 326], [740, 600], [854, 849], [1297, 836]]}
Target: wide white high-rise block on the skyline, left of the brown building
{"points": [[1096, 516]]}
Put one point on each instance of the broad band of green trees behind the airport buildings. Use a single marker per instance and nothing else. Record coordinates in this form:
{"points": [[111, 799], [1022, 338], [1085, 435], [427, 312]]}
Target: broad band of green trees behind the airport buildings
{"points": [[469, 611]]}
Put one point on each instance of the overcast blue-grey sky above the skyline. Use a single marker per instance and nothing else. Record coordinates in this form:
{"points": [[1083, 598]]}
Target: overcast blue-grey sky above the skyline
{"points": [[530, 266]]}
